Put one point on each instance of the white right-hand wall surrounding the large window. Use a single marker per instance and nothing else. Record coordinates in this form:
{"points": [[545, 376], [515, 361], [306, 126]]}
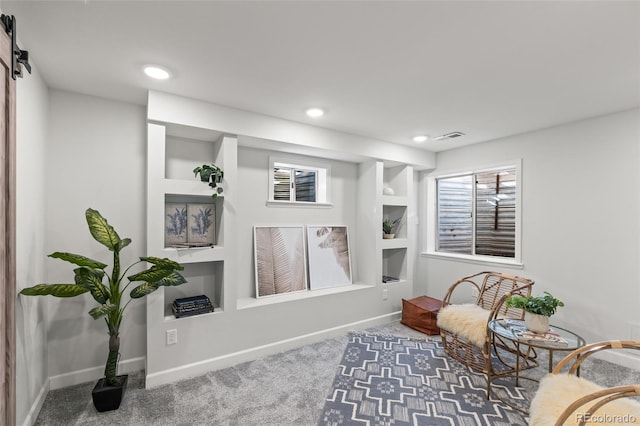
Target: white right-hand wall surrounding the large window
{"points": [[581, 221]]}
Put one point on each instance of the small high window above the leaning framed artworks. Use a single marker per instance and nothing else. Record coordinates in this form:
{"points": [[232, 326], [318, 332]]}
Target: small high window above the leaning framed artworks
{"points": [[298, 184]]}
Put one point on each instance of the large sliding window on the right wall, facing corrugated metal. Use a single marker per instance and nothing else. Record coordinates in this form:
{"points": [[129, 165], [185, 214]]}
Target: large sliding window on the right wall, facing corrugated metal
{"points": [[476, 214]]}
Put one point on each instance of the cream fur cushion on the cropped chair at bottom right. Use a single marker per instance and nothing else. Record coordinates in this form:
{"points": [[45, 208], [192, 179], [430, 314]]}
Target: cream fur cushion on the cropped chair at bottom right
{"points": [[557, 391]]}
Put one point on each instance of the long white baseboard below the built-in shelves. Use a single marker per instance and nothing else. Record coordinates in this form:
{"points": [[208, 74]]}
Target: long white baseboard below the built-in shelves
{"points": [[224, 361]]}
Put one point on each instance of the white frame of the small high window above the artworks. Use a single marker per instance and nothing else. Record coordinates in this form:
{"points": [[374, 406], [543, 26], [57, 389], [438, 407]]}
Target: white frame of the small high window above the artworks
{"points": [[323, 182]]}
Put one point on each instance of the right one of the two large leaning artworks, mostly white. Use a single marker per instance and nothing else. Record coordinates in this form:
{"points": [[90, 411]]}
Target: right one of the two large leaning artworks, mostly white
{"points": [[329, 257]]}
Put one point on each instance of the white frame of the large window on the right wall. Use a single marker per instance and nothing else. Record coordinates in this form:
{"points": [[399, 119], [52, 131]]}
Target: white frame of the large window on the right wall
{"points": [[430, 209]]}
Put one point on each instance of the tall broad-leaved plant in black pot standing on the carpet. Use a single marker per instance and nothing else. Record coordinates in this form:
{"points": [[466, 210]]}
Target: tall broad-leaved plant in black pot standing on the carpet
{"points": [[90, 276]]}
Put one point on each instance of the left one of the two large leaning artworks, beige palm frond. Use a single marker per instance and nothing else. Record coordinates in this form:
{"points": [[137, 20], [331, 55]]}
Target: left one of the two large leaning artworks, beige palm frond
{"points": [[280, 260]]}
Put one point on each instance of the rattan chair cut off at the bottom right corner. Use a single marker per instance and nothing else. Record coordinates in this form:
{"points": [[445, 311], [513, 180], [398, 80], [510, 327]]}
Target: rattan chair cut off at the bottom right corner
{"points": [[566, 399]]}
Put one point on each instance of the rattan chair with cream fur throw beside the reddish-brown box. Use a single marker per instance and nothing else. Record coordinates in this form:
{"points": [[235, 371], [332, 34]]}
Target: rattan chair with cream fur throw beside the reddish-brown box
{"points": [[464, 327]]}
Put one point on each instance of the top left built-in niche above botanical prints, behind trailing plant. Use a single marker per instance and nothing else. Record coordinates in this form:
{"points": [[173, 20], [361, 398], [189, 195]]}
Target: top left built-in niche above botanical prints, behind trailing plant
{"points": [[182, 155]]}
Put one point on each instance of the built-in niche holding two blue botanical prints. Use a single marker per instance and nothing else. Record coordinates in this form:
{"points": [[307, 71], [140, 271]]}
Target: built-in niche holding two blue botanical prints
{"points": [[187, 217]]}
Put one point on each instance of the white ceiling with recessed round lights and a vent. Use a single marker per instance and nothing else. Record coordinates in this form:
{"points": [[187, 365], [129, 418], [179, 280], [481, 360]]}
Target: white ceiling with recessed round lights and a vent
{"points": [[385, 70]]}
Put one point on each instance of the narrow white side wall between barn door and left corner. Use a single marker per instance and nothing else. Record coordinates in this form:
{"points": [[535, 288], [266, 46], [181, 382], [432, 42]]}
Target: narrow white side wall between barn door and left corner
{"points": [[31, 350]]}
